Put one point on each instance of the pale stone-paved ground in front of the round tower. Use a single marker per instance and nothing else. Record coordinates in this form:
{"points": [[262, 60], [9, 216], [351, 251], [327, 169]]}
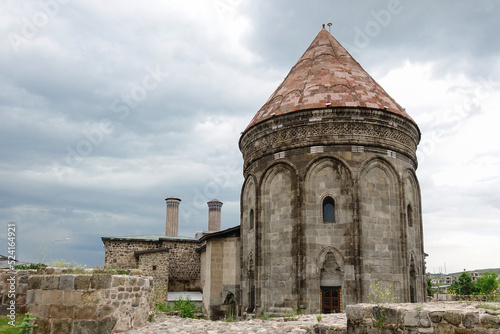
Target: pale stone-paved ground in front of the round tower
{"points": [[330, 324]]}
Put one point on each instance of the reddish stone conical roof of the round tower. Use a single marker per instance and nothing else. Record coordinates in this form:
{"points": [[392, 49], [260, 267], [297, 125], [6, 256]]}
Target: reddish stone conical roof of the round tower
{"points": [[327, 73]]}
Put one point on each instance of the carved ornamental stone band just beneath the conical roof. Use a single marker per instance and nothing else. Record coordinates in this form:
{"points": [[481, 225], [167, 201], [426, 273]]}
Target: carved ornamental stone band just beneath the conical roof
{"points": [[301, 130]]}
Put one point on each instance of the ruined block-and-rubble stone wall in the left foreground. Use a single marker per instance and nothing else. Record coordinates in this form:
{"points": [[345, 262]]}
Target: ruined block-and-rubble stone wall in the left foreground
{"points": [[98, 303]]}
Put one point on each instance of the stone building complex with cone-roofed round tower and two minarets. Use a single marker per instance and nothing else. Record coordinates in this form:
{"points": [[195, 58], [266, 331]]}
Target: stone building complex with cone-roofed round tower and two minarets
{"points": [[330, 205]]}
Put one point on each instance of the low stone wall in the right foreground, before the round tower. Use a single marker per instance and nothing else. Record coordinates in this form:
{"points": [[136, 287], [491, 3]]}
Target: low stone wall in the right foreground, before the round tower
{"points": [[427, 318]]}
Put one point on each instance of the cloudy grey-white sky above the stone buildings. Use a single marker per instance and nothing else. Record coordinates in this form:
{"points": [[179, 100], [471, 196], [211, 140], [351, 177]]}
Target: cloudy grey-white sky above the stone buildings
{"points": [[107, 108]]}
